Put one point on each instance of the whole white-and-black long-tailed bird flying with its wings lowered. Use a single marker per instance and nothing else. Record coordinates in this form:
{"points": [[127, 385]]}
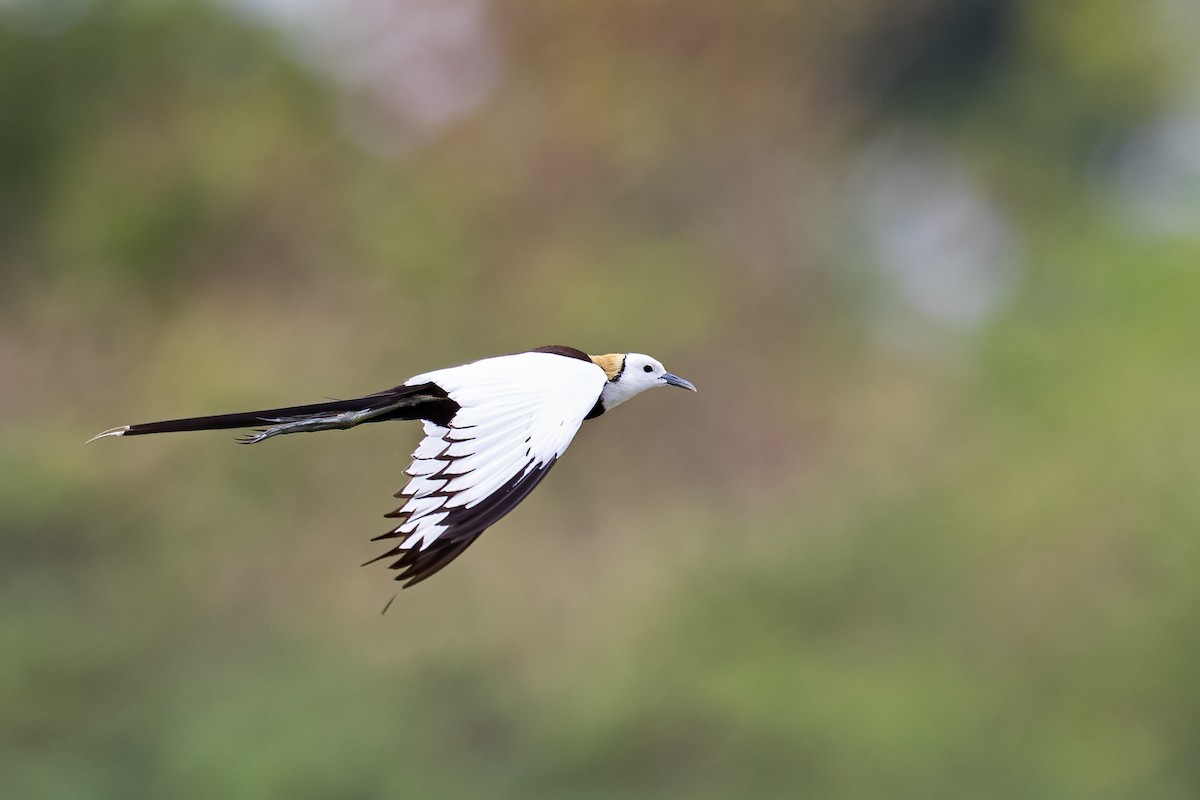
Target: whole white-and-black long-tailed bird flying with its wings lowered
{"points": [[493, 431]]}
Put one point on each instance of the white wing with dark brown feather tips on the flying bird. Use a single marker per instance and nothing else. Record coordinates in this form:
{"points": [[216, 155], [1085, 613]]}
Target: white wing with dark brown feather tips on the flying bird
{"points": [[518, 414]]}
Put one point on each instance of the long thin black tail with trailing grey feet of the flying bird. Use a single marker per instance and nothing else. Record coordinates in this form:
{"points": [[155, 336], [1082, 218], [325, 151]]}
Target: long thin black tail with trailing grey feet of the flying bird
{"points": [[422, 402]]}
